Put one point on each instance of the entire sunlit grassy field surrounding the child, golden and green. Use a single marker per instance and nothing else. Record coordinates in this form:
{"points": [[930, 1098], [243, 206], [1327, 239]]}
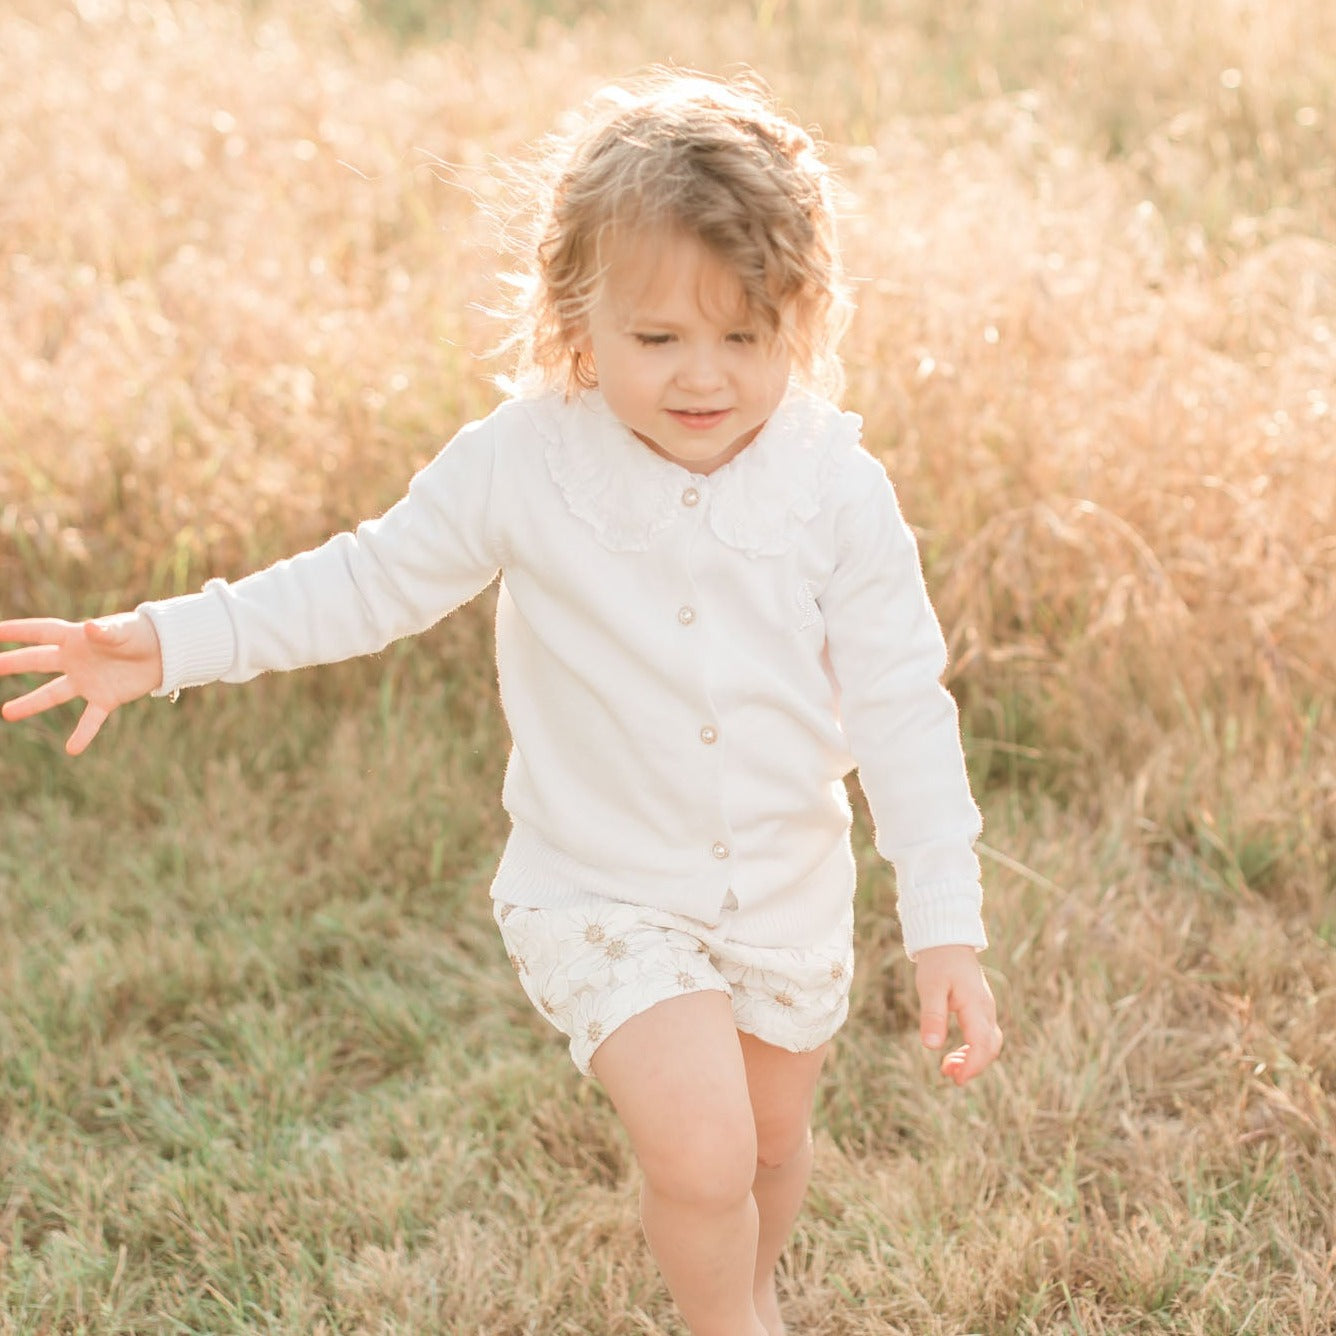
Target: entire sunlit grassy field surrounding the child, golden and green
{"points": [[263, 1063]]}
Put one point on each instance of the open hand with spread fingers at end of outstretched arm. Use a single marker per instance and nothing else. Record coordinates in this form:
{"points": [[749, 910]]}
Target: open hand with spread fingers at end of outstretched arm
{"points": [[108, 663]]}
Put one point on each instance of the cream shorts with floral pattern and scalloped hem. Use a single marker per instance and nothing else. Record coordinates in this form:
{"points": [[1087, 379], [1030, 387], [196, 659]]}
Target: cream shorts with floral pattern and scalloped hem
{"points": [[593, 967]]}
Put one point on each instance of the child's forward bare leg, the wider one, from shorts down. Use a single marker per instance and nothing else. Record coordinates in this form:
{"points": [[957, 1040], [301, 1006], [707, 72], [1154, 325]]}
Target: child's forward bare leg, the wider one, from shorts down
{"points": [[678, 1080]]}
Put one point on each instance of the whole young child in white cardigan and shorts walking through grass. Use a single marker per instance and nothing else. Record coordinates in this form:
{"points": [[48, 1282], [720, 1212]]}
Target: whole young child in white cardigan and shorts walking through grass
{"points": [[710, 613]]}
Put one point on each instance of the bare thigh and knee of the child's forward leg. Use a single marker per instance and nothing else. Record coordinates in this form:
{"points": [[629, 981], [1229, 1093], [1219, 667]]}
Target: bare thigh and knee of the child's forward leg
{"points": [[677, 1077]]}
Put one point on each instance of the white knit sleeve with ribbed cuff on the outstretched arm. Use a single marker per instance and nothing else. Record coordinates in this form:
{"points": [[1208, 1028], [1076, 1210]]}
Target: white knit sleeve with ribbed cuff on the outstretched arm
{"points": [[391, 578]]}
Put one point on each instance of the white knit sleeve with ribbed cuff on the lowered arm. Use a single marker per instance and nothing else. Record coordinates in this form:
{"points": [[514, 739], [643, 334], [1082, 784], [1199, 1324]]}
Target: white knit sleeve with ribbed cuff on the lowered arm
{"points": [[889, 657]]}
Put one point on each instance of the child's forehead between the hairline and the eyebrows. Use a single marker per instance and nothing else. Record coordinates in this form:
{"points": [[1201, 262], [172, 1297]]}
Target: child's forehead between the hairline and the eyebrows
{"points": [[670, 273]]}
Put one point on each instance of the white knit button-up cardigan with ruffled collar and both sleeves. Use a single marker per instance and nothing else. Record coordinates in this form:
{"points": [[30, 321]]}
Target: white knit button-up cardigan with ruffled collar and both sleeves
{"points": [[690, 665]]}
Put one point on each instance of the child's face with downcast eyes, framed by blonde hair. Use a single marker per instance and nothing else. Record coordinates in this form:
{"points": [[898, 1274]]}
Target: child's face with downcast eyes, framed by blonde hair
{"points": [[679, 359]]}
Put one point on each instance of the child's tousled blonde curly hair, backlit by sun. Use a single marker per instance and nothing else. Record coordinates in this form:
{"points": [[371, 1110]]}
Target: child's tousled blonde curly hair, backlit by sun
{"points": [[703, 157]]}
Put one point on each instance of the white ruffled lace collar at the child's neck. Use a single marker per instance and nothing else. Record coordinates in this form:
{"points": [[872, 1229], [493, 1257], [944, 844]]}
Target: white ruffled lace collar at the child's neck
{"points": [[757, 503]]}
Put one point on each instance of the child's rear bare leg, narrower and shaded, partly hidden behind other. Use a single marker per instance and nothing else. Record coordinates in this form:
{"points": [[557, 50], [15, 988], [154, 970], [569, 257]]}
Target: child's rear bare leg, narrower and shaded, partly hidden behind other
{"points": [[782, 1087]]}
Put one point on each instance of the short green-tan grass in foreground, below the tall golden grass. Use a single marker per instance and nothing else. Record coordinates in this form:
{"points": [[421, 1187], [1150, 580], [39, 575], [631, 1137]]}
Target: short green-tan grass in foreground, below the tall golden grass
{"points": [[264, 1065]]}
